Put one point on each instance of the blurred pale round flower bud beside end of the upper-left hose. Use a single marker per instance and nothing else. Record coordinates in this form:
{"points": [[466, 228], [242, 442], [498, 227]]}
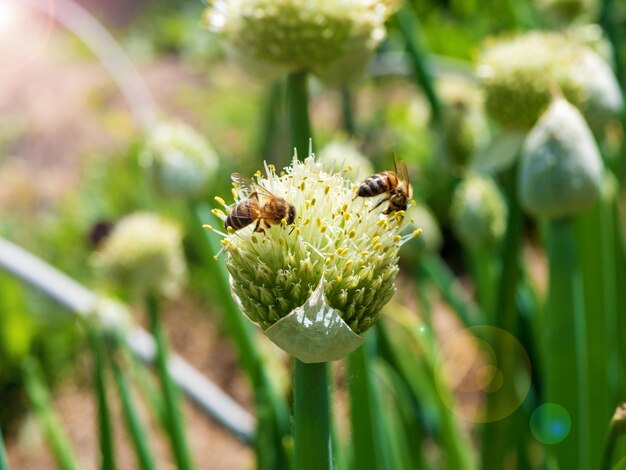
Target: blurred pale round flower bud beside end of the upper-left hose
{"points": [[181, 160]]}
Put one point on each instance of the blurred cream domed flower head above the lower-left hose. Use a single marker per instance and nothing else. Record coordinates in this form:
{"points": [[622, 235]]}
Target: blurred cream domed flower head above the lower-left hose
{"points": [[143, 254]]}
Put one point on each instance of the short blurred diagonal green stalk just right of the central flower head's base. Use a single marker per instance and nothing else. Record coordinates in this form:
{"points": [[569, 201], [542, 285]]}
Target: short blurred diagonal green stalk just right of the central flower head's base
{"points": [[441, 276]]}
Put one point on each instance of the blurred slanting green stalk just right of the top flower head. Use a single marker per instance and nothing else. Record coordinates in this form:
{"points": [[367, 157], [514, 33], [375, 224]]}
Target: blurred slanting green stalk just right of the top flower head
{"points": [[411, 30]]}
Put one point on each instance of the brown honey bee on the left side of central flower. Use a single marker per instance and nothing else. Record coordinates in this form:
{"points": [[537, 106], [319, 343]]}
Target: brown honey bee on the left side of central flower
{"points": [[273, 210]]}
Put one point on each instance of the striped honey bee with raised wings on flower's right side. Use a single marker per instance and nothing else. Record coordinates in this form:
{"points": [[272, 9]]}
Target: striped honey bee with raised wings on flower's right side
{"points": [[394, 183]]}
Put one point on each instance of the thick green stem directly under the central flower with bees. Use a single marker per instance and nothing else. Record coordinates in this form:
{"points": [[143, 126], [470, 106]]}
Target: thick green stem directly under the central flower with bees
{"points": [[311, 419]]}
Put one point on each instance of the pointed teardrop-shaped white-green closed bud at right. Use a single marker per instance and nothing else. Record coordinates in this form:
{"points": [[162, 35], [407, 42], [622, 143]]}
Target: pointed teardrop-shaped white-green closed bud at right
{"points": [[561, 168]]}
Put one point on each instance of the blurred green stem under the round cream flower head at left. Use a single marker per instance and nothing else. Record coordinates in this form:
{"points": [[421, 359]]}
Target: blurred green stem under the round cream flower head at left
{"points": [[175, 430]]}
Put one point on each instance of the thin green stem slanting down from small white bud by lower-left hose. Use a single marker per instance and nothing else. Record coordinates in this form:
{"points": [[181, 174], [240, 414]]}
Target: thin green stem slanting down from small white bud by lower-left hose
{"points": [[138, 435]]}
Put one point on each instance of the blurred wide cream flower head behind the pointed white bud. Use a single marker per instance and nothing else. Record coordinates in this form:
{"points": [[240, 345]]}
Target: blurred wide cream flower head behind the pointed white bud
{"points": [[518, 76]]}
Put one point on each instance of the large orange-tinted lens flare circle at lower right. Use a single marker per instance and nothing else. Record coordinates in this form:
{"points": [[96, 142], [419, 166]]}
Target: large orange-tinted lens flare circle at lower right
{"points": [[482, 374]]}
